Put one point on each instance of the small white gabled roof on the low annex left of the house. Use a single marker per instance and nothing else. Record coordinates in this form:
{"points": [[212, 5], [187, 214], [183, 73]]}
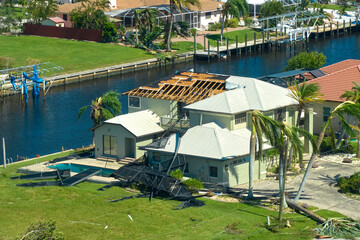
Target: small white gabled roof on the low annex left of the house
{"points": [[140, 123]]}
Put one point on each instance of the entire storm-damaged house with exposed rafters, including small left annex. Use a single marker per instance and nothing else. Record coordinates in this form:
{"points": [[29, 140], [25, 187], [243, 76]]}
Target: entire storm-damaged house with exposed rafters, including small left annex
{"points": [[210, 112]]}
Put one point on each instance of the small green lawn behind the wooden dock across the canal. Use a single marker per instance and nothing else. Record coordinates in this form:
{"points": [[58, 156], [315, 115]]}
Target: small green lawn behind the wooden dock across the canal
{"points": [[232, 36]]}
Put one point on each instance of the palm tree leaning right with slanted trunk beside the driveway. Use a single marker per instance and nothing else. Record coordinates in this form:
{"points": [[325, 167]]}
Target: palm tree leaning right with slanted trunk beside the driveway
{"points": [[349, 108]]}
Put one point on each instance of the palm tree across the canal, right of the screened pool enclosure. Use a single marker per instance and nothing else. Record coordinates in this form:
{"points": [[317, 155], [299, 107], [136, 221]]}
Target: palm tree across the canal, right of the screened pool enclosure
{"points": [[235, 8]]}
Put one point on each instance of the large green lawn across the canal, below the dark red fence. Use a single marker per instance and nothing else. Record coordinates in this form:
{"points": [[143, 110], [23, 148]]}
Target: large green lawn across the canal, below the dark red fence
{"points": [[72, 55]]}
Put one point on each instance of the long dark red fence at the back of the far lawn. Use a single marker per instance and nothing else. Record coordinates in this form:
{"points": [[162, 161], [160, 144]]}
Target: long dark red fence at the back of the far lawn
{"points": [[63, 32]]}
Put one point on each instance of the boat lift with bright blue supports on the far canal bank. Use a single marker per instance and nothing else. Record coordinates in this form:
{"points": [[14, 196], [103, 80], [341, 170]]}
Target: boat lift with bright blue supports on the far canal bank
{"points": [[20, 78]]}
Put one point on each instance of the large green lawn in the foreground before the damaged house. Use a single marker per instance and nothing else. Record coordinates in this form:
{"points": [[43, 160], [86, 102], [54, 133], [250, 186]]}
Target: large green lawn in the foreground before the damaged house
{"points": [[81, 212]]}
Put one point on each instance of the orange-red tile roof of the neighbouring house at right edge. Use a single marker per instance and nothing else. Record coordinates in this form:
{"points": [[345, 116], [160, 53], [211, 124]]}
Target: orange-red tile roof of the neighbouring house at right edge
{"points": [[336, 83]]}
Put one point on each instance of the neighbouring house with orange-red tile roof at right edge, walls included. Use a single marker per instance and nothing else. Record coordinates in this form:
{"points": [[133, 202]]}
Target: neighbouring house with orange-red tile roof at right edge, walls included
{"points": [[339, 78]]}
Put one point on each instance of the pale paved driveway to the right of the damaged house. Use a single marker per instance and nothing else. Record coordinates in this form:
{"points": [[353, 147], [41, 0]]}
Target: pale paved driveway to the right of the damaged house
{"points": [[319, 190]]}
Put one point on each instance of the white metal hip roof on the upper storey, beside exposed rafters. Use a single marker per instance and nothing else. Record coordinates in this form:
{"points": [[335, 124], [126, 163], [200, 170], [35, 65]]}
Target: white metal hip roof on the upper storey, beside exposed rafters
{"points": [[246, 94]]}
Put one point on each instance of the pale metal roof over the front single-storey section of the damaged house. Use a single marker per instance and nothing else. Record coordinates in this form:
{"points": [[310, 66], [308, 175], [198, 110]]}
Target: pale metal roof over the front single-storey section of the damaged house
{"points": [[211, 141]]}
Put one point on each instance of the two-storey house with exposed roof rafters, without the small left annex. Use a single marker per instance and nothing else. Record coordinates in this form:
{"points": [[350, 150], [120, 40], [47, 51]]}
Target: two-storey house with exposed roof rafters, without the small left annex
{"points": [[215, 140]]}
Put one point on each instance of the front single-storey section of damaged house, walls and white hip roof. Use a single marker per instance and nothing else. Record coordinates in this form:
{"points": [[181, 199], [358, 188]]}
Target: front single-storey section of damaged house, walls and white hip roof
{"points": [[212, 154]]}
